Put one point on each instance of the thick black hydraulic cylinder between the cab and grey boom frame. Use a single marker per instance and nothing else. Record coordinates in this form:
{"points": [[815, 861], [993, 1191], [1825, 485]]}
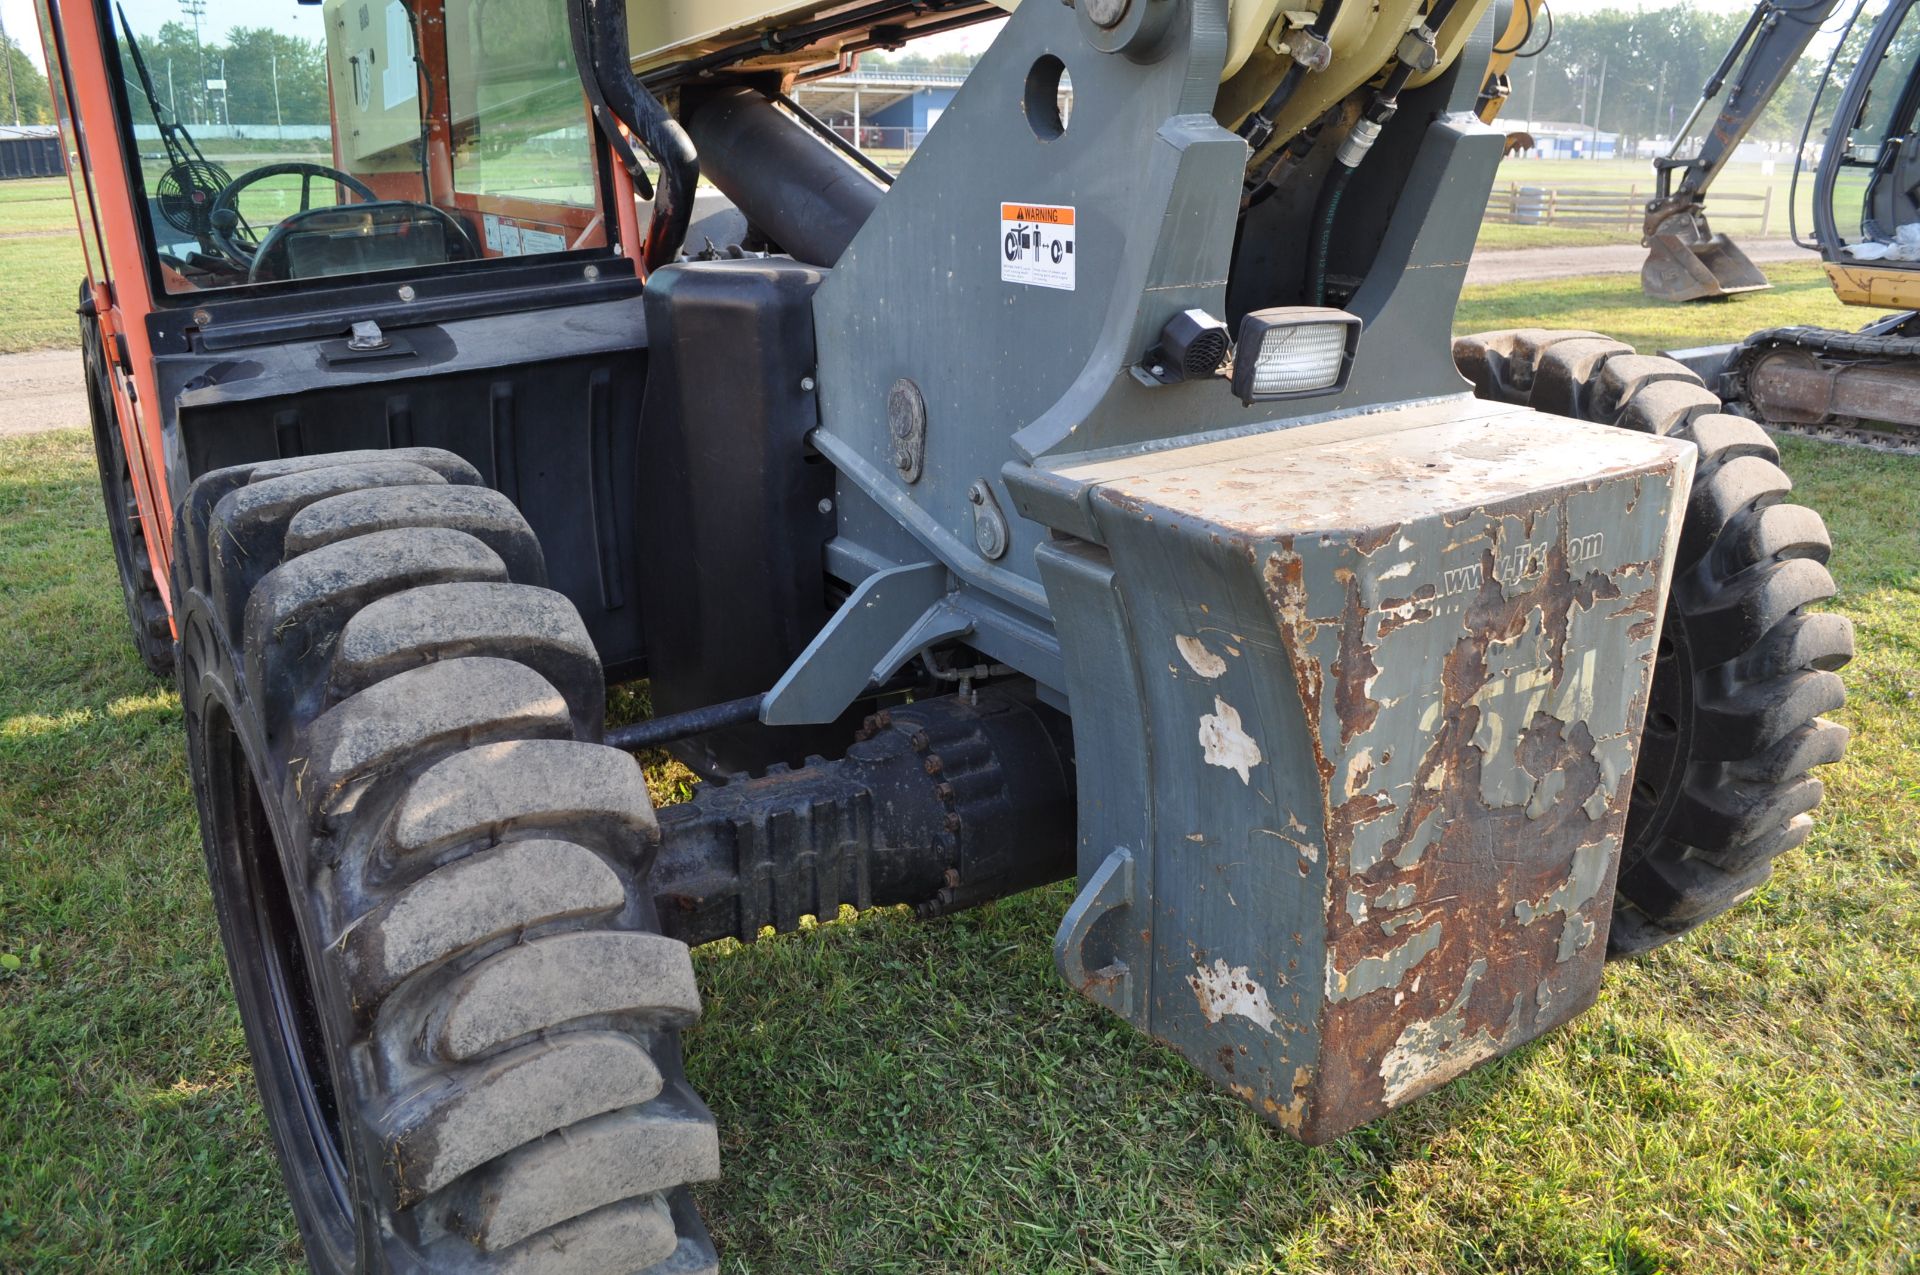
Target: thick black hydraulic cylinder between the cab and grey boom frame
{"points": [[788, 183]]}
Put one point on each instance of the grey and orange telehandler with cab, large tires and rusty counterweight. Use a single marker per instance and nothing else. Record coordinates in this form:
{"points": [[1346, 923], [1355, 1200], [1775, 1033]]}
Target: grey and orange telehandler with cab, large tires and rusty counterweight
{"points": [[1101, 498]]}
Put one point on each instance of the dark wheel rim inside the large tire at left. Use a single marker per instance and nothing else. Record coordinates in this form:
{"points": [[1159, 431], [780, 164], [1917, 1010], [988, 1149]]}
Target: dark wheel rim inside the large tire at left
{"points": [[291, 1057]]}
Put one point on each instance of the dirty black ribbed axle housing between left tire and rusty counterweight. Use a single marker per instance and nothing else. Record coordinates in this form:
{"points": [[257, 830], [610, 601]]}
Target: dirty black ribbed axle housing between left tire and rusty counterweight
{"points": [[942, 806]]}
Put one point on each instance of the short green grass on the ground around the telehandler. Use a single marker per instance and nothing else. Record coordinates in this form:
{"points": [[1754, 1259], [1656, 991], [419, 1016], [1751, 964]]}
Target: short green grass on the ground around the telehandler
{"points": [[930, 1097]]}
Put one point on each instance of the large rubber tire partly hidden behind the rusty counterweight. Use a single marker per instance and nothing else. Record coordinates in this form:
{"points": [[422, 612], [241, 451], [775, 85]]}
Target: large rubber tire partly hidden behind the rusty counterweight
{"points": [[1744, 671]]}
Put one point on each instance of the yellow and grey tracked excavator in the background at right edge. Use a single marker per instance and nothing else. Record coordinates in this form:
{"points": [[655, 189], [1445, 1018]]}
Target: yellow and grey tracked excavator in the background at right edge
{"points": [[1854, 387]]}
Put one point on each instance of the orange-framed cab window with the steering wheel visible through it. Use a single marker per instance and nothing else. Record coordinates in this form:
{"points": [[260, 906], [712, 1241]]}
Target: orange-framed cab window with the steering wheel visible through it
{"points": [[310, 141]]}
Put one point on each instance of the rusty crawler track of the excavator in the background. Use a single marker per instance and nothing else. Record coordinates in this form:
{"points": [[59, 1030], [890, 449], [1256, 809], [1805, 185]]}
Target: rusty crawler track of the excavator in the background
{"points": [[1817, 383]]}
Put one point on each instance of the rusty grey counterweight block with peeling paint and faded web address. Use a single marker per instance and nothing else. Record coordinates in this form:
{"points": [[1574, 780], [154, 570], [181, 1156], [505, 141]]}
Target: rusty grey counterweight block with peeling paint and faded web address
{"points": [[1395, 677]]}
